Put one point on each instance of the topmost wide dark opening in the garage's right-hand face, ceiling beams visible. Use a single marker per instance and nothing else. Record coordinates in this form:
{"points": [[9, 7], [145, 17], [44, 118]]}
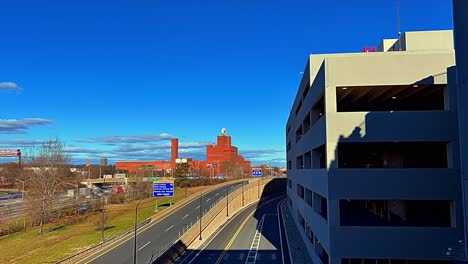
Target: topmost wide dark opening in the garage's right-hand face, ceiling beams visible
{"points": [[421, 97]]}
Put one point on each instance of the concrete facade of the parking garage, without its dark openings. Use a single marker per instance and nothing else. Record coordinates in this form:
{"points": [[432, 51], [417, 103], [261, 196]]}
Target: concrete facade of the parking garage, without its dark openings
{"points": [[425, 63]]}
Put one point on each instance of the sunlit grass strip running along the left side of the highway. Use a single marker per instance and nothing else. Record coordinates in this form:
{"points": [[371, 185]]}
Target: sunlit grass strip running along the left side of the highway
{"points": [[61, 240]]}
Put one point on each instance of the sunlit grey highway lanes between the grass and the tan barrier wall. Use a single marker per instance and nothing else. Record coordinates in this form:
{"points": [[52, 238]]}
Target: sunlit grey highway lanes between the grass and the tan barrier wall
{"points": [[152, 241]]}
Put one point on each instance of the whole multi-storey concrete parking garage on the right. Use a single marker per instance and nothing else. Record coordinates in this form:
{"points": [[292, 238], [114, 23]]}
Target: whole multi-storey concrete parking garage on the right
{"points": [[373, 154]]}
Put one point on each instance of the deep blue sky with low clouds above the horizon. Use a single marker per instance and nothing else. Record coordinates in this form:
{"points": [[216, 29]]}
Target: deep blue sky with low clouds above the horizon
{"points": [[118, 78]]}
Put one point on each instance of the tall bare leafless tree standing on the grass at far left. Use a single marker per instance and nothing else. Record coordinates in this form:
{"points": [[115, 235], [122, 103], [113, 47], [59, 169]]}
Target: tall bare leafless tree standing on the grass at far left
{"points": [[47, 168]]}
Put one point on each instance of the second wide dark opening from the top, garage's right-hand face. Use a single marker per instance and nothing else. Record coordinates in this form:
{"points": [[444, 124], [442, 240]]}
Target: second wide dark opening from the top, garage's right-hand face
{"points": [[393, 155]]}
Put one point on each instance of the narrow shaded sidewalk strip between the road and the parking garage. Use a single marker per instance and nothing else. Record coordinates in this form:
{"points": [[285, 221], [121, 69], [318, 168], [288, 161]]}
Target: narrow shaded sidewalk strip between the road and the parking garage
{"points": [[297, 247]]}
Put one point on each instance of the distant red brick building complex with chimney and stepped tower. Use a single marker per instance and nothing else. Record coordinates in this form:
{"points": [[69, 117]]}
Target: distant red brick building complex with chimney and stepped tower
{"points": [[221, 158]]}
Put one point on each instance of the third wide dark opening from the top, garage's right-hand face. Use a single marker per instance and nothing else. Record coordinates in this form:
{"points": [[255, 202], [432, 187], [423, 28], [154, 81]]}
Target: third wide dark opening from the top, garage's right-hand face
{"points": [[404, 213]]}
